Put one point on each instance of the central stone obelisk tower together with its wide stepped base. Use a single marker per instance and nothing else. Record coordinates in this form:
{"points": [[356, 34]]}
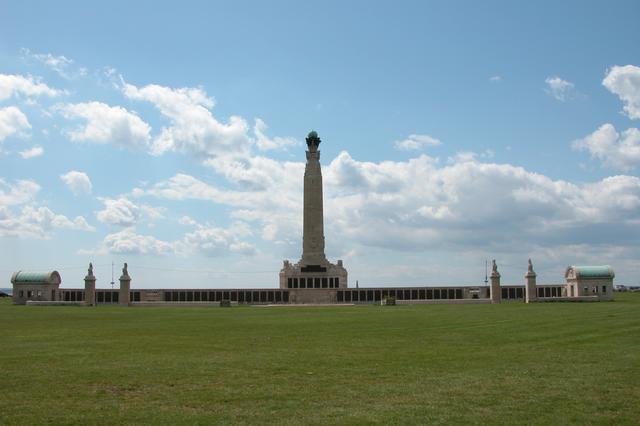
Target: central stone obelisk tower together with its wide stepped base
{"points": [[313, 271]]}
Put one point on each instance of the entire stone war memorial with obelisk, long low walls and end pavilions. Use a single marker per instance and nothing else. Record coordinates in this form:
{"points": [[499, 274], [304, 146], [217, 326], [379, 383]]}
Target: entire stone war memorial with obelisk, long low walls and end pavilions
{"points": [[314, 279]]}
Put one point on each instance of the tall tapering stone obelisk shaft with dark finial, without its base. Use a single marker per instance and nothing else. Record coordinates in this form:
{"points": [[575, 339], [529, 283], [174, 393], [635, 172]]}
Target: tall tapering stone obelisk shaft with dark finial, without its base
{"points": [[313, 219]]}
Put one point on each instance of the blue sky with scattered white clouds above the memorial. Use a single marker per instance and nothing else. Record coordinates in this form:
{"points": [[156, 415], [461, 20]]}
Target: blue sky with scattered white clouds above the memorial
{"points": [[171, 137]]}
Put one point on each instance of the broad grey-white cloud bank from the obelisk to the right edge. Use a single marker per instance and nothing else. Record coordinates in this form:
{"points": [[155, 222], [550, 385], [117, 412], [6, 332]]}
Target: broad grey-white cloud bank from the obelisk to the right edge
{"points": [[468, 203]]}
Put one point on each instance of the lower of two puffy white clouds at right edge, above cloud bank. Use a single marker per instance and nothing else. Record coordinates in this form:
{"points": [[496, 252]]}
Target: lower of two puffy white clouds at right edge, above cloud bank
{"points": [[619, 151]]}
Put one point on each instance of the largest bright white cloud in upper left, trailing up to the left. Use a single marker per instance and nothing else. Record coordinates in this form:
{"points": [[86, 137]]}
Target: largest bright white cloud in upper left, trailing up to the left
{"points": [[193, 129]]}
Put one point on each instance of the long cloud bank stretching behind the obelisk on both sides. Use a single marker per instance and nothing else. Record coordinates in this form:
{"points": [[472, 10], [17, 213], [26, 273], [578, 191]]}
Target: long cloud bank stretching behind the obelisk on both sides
{"points": [[420, 205]]}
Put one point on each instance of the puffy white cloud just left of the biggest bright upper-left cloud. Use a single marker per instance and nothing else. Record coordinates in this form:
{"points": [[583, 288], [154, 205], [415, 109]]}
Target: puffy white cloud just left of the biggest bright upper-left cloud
{"points": [[107, 124]]}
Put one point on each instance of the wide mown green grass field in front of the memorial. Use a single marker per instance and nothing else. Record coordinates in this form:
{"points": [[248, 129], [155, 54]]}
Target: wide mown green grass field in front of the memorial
{"points": [[511, 363]]}
